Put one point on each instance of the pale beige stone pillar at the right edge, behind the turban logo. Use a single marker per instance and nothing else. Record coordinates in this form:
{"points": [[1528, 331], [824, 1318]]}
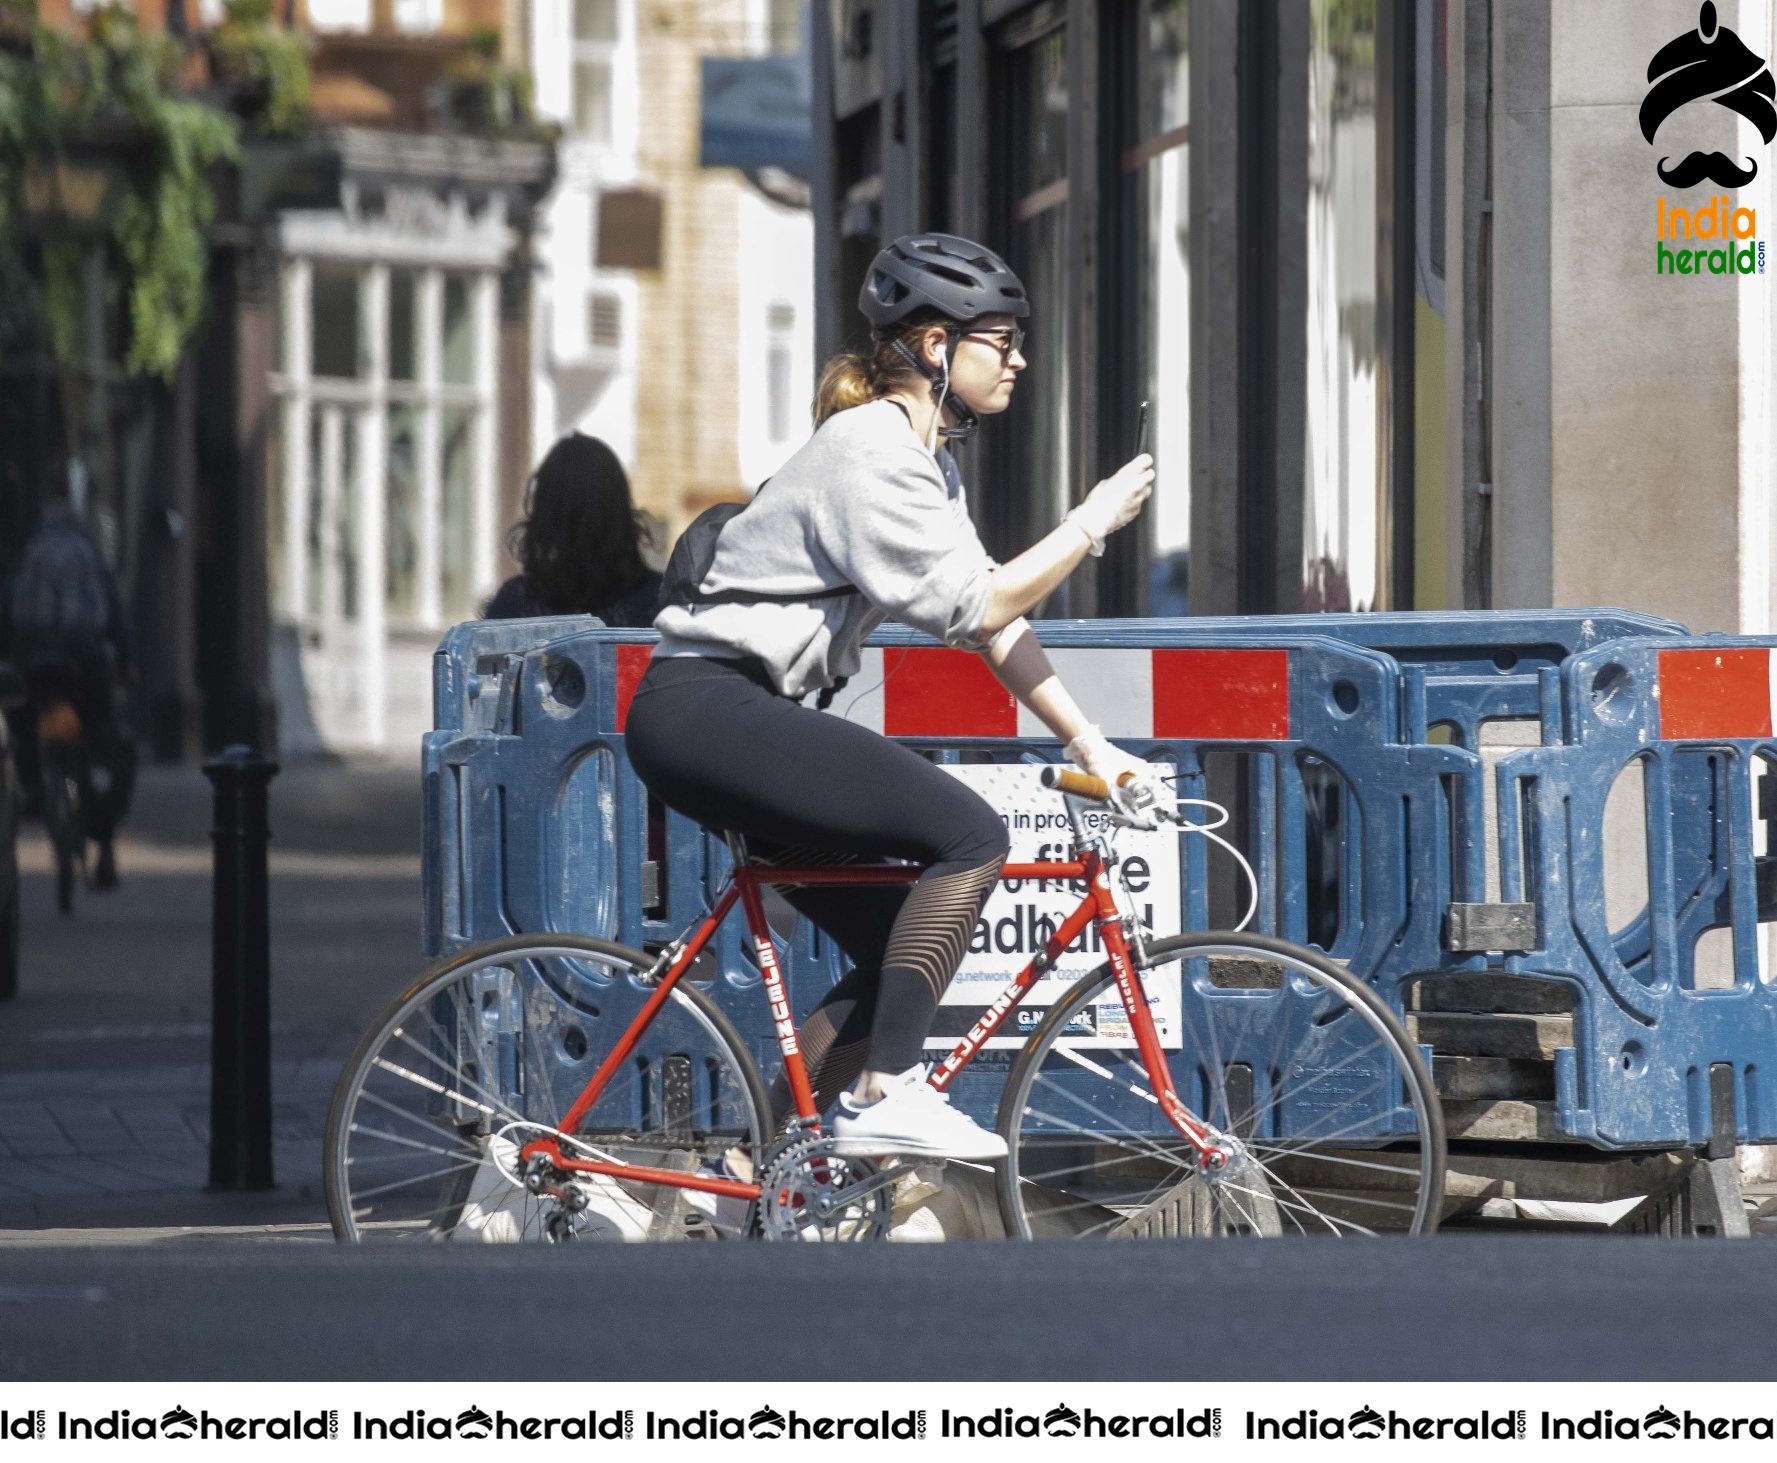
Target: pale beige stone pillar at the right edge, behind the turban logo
{"points": [[1622, 412]]}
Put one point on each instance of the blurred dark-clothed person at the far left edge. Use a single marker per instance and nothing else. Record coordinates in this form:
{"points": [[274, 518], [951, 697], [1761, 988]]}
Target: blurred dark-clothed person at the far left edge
{"points": [[68, 639]]}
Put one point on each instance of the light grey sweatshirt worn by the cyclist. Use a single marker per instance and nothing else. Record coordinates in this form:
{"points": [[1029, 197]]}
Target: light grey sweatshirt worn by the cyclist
{"points": [[861, 504]]}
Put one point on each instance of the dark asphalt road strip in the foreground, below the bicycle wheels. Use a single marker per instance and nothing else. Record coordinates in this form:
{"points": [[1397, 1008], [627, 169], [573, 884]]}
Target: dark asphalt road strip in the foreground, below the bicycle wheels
{"points": [[1472, 1307]]}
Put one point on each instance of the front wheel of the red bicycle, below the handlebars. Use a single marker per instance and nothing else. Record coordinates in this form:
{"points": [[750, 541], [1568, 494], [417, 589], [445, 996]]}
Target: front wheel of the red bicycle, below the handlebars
{"points": [[1309, 1082]]}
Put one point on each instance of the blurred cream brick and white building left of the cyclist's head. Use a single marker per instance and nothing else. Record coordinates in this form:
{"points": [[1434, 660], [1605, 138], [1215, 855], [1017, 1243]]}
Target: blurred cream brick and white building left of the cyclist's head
{"points": [[674, 305]]}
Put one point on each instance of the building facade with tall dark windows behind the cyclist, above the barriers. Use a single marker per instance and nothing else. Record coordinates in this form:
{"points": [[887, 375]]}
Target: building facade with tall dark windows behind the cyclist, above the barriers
{"points": [[1387, 269]]}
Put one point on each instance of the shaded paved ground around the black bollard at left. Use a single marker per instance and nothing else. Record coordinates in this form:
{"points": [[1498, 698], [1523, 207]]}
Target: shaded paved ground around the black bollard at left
{"points": [[106, 1053]]}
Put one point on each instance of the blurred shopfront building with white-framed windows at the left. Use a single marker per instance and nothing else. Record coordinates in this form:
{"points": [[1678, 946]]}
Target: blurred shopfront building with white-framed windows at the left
{"points": [[321, 486]]}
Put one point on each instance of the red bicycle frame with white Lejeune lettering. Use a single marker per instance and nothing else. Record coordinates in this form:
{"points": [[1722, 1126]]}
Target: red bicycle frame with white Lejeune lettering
{"points": [[744, 890]]}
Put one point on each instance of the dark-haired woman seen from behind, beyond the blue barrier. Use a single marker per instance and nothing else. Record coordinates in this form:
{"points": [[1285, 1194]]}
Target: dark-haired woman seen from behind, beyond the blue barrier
{"points": [[580, 543]]}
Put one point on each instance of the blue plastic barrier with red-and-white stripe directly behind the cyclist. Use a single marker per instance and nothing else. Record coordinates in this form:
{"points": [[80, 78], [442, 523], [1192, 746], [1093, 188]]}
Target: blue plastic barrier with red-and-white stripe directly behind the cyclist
{"points": [[539, 824]]}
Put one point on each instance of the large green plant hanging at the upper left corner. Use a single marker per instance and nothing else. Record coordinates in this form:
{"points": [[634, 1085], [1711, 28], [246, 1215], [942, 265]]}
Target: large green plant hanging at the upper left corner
{"points": [[111, 99]]}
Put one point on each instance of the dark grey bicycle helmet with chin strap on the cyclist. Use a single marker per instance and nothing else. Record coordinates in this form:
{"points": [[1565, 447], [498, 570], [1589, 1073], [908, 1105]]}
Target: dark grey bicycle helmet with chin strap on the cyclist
{"points": [[955, 276]]}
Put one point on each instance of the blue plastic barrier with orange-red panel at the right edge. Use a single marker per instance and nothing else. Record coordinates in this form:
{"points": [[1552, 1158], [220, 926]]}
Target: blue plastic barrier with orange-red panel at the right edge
{"points": [[1694, 716]]}
